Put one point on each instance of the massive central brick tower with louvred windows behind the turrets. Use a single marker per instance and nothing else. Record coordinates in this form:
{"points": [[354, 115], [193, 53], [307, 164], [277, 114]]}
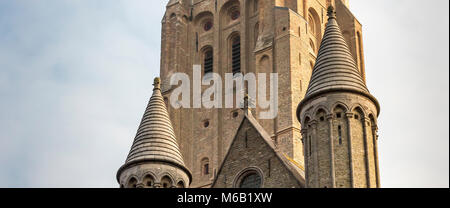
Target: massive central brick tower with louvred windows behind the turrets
{"points": [[245, 36]]}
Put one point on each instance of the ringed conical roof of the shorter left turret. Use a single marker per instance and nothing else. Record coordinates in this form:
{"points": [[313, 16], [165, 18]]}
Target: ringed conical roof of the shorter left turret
{"points": [[155, 139]]}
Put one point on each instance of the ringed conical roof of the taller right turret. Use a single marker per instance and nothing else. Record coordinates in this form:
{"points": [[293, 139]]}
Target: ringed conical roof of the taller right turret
{"points": [[335, 68]]}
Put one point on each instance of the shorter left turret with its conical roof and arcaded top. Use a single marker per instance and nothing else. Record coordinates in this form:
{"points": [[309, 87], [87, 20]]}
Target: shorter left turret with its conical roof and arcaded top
{"points": [[155, 160]]}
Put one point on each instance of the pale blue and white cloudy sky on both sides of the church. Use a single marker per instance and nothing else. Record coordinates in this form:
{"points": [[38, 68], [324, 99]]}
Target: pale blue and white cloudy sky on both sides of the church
{"points": [[76, 75]]}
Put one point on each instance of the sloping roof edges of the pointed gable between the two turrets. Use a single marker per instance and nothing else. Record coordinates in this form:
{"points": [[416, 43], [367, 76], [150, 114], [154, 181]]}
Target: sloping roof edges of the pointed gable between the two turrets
{"points": [[295, 169]]}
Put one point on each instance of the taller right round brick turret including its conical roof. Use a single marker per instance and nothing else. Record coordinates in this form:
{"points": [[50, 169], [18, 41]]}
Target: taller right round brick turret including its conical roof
{"points": [[339, 119]]}
